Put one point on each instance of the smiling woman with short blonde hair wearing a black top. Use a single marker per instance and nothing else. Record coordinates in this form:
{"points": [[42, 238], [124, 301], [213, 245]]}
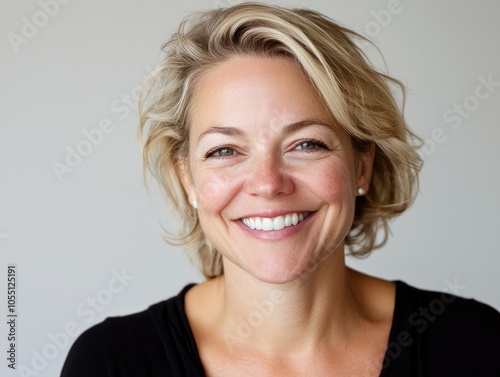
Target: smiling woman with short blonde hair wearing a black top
{"points": [[280, 147]]}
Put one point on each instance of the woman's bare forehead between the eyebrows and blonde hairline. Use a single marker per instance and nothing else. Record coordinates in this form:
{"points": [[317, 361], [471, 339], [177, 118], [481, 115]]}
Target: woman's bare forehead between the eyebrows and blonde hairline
{"points": [[262, 91]]}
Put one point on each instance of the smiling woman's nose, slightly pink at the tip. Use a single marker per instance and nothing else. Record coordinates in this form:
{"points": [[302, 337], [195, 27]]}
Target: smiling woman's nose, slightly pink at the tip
{"points": [[269, 178]]}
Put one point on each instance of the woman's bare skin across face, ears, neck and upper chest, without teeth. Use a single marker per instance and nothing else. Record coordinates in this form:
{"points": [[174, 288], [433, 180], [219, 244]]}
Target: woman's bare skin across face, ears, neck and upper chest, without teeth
{"points": [[262, 143]]}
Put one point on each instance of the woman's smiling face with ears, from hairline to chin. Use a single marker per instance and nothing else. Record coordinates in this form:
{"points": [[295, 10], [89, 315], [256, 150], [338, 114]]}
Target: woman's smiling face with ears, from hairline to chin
{"points": [[275, 178]]}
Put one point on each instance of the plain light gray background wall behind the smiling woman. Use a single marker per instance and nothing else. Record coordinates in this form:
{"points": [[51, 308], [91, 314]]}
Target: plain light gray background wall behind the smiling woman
{"points": [[69, 238]]}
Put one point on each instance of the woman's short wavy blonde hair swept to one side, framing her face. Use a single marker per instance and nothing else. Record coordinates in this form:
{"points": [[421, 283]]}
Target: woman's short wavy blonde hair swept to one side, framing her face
{"points": [[358, 96]]}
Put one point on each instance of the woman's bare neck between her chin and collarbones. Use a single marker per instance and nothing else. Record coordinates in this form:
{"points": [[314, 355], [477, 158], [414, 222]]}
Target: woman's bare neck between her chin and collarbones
{"points": [[319, 307]]}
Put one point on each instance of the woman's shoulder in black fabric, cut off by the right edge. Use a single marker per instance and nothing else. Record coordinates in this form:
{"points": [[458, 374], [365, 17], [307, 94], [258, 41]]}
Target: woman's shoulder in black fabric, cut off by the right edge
{"points": [[443, 334]]}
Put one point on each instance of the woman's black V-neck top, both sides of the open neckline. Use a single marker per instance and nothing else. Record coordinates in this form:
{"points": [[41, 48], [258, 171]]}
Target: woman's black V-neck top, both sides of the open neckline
{"points": [[432, 334]]}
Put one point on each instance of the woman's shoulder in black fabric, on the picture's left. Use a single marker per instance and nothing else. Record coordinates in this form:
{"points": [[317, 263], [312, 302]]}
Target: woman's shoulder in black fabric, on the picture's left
{"points": [[142, 344]]}
